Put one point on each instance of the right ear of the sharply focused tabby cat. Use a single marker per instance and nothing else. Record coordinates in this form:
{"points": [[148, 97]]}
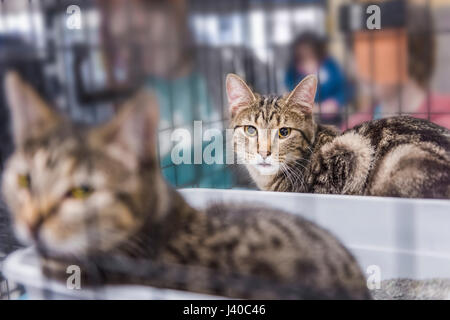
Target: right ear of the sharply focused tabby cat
{"points": [[304, 93]]}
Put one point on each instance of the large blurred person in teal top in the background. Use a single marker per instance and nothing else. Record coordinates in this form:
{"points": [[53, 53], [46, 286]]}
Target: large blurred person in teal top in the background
{"points": [[154, 46]]}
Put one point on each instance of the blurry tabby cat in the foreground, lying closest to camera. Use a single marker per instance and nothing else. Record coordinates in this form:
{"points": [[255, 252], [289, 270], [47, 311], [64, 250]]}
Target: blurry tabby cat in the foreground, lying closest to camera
{"points": [[95, 197]]}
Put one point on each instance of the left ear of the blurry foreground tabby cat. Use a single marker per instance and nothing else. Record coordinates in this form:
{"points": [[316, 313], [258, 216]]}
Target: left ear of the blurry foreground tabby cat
{"points": [[30, 115]]}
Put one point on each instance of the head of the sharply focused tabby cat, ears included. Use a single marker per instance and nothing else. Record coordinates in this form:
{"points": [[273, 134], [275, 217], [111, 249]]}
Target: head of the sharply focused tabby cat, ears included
{"points": [[271, 132]]}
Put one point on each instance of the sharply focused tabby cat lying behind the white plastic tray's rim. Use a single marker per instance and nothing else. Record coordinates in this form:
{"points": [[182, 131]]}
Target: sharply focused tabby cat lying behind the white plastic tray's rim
{"points": [[284, 149]]}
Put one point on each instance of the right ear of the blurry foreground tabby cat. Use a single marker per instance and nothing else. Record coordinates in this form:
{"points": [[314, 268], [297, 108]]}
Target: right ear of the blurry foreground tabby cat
{"points": [[133, 131]]}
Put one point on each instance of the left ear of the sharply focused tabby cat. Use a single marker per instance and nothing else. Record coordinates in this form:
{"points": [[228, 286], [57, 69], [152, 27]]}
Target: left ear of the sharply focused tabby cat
{"points": [[238, 93]]}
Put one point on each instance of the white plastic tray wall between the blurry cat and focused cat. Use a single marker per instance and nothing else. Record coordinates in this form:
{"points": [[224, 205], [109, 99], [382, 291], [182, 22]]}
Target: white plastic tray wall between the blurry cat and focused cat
{"points": [[403, 237]]}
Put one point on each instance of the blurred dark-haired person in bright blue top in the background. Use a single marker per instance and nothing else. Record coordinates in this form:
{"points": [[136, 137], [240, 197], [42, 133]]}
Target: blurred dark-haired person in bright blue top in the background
{"points": [[310, 56]]}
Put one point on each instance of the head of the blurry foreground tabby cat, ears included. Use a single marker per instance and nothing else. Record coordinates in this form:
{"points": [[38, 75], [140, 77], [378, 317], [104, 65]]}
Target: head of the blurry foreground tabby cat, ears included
{"points": [[71, 190]]}
